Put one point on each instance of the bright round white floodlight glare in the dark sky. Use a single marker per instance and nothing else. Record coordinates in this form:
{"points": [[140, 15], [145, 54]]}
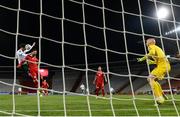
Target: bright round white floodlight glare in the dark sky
{"points": [[162, 13]]}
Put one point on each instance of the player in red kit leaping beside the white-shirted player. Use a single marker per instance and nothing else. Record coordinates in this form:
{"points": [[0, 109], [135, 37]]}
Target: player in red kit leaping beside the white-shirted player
{"points": [[32, 66]]}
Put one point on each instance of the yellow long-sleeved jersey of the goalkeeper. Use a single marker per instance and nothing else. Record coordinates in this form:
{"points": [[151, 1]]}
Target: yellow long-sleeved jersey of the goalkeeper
{"points": [[157, 54]]}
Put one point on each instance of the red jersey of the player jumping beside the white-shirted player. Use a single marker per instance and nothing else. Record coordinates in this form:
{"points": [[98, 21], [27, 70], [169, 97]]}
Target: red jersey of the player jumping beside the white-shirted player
{"points": [[32, 62]]}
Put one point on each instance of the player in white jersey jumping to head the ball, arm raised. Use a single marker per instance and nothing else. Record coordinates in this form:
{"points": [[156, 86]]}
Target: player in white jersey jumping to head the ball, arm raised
{"points": [[21, 54]]}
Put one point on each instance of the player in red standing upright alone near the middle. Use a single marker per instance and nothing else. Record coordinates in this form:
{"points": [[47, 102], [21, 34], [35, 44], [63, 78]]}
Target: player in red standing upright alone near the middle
{"points": [[99, 81]]}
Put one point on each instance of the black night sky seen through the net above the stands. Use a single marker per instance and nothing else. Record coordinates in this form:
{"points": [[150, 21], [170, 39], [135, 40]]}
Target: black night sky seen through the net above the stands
{"points": [[51, 28]]}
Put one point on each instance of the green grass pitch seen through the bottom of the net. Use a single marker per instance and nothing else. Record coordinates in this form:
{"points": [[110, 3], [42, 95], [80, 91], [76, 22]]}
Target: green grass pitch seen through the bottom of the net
{"points": [[77, 106]]}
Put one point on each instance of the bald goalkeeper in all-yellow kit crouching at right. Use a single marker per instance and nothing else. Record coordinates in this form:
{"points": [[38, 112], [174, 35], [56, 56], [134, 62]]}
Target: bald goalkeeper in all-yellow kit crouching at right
{"points": [[156, 56]]}
